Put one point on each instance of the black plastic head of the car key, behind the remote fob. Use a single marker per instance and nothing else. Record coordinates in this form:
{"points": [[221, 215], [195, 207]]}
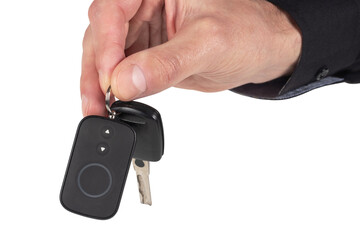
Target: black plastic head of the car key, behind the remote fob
{"points": [[146, 122]]}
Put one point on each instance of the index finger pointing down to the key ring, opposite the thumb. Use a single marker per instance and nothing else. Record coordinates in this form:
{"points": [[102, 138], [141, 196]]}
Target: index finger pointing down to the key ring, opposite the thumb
{"points": [[108, 20]]}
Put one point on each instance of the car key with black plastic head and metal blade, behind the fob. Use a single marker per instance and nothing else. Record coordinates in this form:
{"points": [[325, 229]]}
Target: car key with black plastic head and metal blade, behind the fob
{"points": [[146, 121]]}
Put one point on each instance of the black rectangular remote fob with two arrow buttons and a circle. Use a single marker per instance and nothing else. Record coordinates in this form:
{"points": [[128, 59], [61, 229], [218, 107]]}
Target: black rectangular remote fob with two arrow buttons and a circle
{"points": [[98, 167]]}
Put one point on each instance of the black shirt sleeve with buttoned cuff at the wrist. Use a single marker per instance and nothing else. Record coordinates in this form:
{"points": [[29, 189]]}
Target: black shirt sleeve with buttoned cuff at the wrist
{"points": [[330, 48]]}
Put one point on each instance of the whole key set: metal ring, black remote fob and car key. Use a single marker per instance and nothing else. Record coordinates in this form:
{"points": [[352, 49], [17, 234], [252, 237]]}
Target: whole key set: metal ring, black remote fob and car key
{"points": [[101, 155]]}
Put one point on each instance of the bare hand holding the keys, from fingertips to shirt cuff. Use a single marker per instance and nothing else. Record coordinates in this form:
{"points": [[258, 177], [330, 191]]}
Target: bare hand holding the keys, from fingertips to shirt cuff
{"points": [[142, 47]]}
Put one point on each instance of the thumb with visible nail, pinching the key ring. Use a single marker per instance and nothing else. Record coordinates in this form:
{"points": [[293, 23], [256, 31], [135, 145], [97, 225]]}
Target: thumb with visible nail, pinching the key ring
{"points": [[153, 70]]}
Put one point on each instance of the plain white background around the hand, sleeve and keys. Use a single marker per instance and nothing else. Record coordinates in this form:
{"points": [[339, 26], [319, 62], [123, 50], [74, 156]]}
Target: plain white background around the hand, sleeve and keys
{"points": [[233, 168]]}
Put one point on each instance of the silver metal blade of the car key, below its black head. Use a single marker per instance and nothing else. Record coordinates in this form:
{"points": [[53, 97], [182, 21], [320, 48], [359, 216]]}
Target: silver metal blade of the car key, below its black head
{"points": [[142, 169]]}
